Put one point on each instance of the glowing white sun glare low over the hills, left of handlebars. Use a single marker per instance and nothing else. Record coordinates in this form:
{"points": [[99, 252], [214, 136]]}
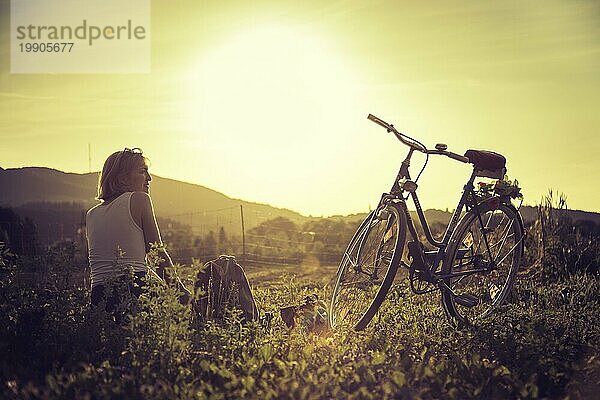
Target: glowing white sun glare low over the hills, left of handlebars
{"points": [[277, 101]]}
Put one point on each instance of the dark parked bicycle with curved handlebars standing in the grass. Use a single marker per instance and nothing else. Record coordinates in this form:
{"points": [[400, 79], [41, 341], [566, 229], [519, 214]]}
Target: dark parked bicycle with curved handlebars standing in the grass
{"points": [[473, 266]]}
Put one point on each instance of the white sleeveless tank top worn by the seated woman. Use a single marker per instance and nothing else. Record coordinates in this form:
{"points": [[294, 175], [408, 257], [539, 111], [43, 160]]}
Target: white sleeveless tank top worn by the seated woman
{"points": [[115, 242]]}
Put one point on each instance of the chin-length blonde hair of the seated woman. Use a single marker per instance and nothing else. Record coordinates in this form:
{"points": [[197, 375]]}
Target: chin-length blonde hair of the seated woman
{"points": [[111, 181]]}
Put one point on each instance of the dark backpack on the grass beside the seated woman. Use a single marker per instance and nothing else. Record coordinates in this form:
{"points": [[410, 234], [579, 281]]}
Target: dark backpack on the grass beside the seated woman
{"points": [[223, 285]]}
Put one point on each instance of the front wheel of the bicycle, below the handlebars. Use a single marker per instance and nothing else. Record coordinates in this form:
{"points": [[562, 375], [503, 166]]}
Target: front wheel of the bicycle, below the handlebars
{"points": [[368, 268]]}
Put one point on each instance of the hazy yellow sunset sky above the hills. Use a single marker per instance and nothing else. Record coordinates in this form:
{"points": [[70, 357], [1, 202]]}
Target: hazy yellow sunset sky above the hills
{"points": [[267, 101]]}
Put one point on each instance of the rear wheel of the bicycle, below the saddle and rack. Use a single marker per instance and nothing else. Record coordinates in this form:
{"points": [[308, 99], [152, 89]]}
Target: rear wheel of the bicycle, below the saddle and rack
{"points": [[489, 241]]}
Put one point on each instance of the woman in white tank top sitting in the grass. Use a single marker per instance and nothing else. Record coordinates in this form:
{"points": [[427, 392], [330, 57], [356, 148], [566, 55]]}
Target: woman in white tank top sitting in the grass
{"points": [[121, 231]]}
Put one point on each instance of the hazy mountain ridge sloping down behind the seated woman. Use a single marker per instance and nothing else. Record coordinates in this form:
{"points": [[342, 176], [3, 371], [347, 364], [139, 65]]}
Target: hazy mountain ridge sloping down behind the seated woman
{"points": [[32, 190]]}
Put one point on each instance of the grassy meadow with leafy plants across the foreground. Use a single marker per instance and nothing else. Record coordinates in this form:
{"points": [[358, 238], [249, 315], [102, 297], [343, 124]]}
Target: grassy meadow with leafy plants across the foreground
{"points": [[542, 344]]}
